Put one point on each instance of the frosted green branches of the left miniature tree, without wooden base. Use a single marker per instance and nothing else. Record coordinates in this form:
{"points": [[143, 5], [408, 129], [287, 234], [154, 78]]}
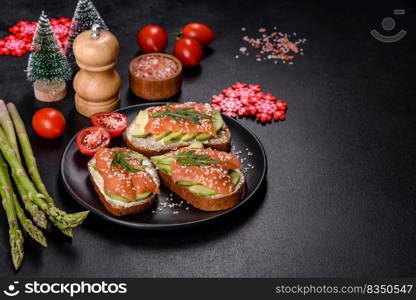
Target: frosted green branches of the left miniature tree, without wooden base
{"points": [[47, 63]]}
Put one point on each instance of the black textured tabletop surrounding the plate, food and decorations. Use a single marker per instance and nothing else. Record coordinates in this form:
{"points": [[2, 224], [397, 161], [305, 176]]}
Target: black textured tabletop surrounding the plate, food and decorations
{"points": [[340, 195]]}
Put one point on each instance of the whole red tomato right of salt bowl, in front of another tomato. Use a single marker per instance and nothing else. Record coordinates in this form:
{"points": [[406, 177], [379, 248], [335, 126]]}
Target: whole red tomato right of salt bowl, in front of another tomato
{"points": [[188, 51]]}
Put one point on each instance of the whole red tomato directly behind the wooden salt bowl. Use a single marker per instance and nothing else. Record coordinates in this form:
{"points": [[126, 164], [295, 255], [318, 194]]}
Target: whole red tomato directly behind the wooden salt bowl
{"points": [[152, 38]]}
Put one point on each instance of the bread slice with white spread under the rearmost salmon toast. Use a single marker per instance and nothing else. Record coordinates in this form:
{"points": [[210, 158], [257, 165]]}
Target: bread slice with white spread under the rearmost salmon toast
{"points": [[148, 146]]}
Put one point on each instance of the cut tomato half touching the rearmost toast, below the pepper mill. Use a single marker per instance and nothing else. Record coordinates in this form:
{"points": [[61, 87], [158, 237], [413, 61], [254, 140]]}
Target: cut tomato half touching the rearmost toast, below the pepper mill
{"points": [[114, 123]]}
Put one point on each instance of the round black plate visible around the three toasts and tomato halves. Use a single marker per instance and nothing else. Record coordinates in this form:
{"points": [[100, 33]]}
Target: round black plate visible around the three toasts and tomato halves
{"points": [[170, 211]]}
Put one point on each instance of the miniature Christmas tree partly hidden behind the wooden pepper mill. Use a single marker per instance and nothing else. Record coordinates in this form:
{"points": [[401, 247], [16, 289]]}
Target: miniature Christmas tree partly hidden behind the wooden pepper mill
{"points": [[85, 16]]}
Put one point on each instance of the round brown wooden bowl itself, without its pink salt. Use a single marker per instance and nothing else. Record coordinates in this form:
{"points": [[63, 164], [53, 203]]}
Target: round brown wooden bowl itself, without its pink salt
{"points": [[155, 89]]}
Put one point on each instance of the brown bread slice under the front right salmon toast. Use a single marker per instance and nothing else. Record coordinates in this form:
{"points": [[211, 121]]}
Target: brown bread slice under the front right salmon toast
{"points": [[213, 203]]}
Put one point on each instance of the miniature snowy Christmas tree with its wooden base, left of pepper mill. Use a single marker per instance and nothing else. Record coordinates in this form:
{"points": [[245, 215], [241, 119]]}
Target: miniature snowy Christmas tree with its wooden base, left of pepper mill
{"points": [[48, 67]]}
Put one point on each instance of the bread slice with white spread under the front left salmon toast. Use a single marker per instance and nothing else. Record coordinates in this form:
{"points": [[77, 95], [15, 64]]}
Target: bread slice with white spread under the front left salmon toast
{"points": [[116, 207]]}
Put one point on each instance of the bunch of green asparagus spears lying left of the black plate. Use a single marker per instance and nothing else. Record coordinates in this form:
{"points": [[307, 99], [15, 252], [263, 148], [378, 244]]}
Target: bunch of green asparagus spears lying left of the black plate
{"points": [[35, 197]]}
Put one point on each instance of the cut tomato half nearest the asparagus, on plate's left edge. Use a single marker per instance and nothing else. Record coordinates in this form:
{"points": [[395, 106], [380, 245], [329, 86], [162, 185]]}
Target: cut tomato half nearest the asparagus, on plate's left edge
{"points": [[91, 139]]}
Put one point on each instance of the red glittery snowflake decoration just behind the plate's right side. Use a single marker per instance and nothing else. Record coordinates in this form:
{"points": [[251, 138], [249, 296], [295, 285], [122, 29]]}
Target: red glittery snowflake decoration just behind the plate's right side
{"points": [[243, 99]]}
